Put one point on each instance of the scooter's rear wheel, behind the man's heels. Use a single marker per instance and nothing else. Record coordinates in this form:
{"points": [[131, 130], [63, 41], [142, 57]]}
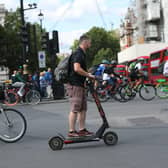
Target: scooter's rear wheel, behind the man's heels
{"points": [[56, 143]]}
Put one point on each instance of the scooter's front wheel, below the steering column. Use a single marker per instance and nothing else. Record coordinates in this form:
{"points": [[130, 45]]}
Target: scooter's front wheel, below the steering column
{"points": [[110, 138]]}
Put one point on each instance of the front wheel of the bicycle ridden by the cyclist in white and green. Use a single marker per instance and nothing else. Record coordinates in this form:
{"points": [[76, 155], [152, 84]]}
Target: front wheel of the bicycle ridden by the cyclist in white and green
{"points": [[147, 92]]}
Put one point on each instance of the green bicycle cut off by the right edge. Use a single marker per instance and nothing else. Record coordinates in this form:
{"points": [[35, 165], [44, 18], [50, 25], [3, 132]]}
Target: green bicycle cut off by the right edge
{"points": [[162, 88]]}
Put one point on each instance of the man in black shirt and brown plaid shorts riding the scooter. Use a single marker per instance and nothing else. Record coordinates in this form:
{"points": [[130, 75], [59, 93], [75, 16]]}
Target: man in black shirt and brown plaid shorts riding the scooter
{"points": [[76, 88]]}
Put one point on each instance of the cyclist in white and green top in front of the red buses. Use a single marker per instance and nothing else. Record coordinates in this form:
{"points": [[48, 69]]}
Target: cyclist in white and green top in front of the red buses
{"points": [[136, 74]]}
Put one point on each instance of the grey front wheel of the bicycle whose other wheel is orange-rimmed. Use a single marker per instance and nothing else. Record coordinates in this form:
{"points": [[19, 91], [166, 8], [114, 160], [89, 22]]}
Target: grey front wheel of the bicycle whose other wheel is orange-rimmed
{"points": [[33, 97]]}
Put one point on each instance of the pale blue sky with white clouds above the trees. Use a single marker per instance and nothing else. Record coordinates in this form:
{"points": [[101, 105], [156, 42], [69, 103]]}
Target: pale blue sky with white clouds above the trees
{"points": [[72, 18]]}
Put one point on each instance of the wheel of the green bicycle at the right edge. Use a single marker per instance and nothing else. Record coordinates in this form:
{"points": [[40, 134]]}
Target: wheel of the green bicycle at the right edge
{"points": [[162, 91]]}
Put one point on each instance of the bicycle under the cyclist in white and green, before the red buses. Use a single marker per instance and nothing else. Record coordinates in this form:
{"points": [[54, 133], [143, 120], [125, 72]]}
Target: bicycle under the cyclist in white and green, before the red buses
{"points": [[146, 92]]}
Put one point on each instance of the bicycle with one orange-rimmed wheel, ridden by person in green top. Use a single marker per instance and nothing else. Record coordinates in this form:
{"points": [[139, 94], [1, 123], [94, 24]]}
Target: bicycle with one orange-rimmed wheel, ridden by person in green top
{"points": [[30, 95]]}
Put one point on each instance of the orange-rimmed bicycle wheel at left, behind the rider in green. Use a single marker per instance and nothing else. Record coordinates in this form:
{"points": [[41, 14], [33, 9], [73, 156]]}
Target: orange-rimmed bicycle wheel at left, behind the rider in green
{"points": [[11, 98]]}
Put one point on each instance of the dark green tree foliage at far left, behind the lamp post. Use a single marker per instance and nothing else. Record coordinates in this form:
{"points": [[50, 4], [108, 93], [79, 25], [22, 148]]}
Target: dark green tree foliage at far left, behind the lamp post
{"points": [[10, 42]]}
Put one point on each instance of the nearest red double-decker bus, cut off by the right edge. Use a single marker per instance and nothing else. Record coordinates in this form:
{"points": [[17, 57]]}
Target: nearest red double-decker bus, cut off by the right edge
{"points": [[157, 60]]}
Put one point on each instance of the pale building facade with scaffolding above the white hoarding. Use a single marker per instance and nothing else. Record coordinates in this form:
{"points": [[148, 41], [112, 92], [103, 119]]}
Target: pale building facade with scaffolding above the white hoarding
{"points": [[145, 22]]}
